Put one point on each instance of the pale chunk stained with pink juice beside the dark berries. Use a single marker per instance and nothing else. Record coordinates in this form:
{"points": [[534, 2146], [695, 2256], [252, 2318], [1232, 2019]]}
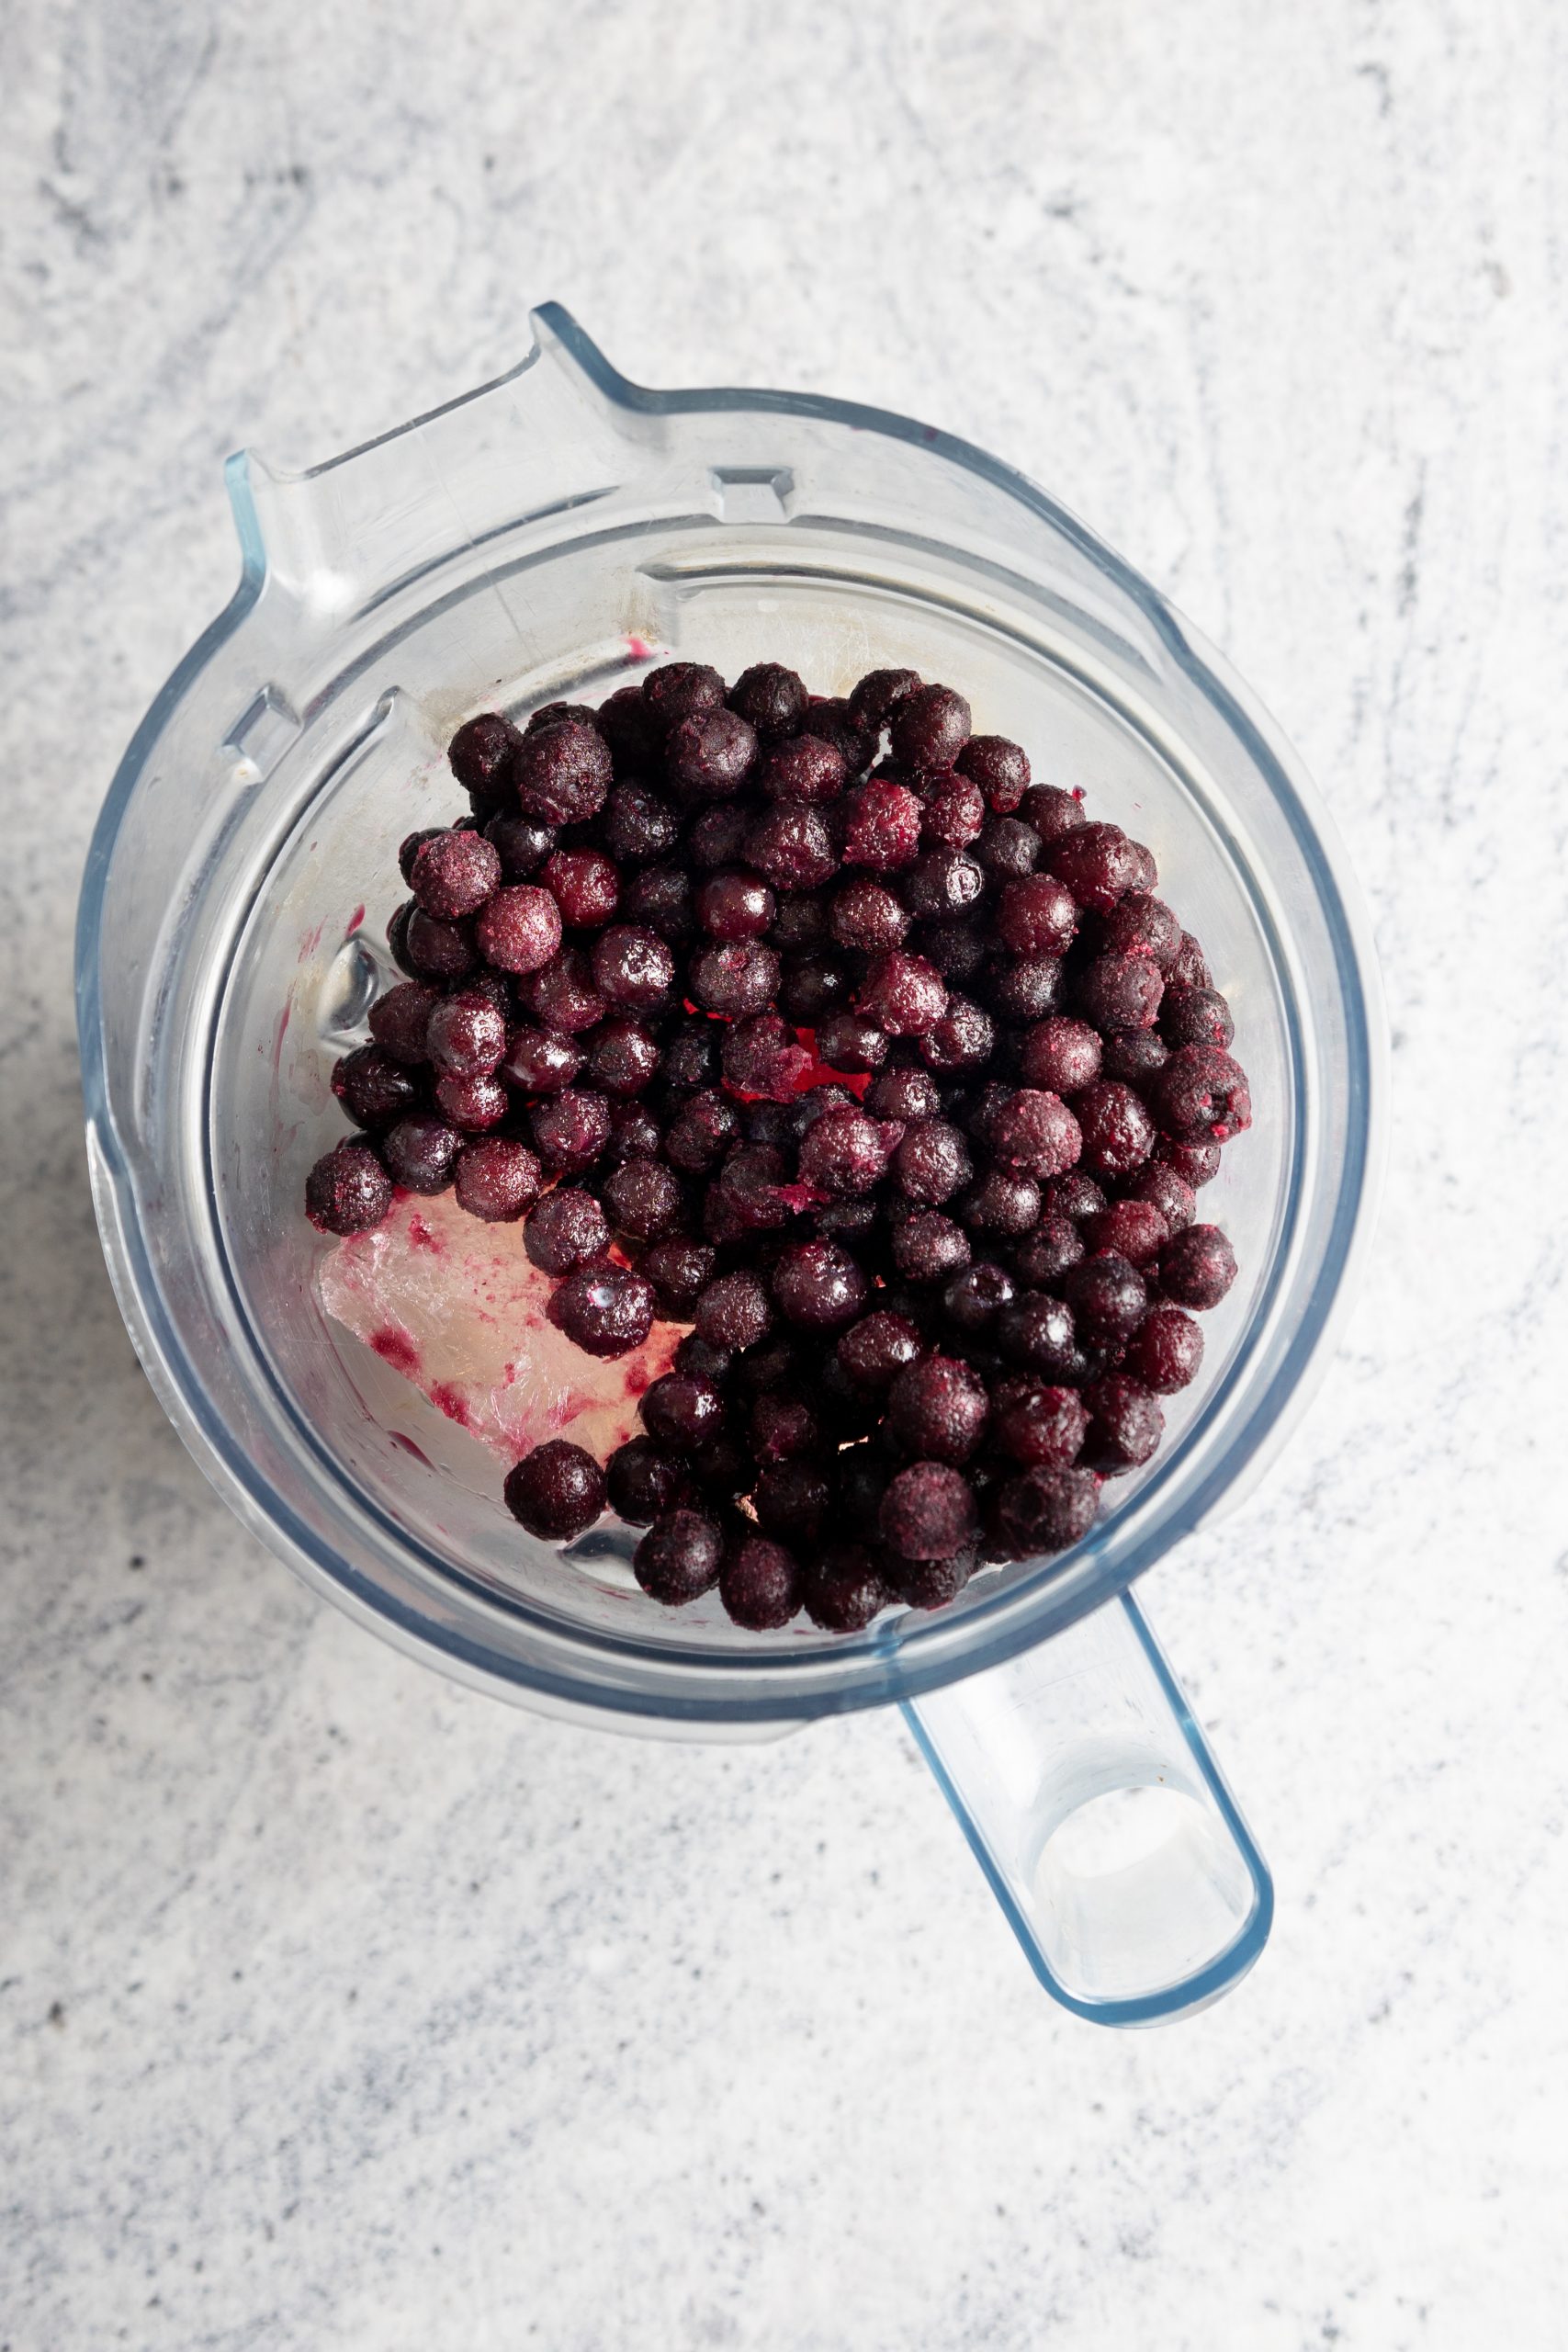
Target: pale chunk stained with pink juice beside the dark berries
{"points": [[457, 1309]]}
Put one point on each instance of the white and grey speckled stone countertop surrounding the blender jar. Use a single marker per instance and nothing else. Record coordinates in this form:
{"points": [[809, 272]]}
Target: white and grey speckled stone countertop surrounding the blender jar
{"points": [[344, 2010]]}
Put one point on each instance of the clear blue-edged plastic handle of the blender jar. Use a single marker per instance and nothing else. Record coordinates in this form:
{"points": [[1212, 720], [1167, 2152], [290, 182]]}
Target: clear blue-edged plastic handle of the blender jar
{"points": [[1101, 1819]]}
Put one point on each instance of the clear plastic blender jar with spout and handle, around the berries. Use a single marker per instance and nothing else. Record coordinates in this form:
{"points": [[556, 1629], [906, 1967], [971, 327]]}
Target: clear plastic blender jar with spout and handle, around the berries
{"points": [[528, 544]]}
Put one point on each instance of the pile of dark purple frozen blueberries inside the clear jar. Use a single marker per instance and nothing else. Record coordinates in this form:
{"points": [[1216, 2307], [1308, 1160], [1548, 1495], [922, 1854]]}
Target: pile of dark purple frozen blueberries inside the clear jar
{"points": [[822, 1029]]}
